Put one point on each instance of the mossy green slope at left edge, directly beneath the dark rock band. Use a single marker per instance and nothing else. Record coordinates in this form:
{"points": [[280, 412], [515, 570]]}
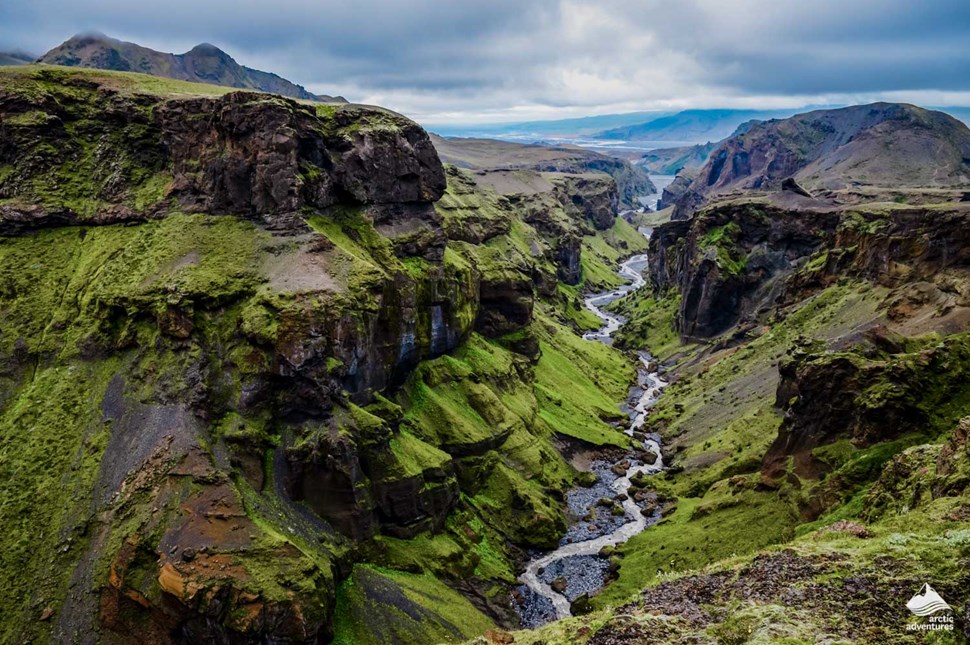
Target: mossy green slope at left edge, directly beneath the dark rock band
{"points": [[64, 288]]}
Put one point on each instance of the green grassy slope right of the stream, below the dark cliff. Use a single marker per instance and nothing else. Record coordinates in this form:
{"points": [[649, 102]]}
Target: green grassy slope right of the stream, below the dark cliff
{"points": [[720, 411]]}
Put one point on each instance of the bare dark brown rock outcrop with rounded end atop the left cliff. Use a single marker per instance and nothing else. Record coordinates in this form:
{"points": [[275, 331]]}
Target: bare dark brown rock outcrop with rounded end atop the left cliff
{"points": [[245, 154]]}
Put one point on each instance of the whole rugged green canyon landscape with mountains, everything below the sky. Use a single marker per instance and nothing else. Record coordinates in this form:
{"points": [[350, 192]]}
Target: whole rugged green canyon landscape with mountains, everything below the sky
{"points": [[277, 367]]}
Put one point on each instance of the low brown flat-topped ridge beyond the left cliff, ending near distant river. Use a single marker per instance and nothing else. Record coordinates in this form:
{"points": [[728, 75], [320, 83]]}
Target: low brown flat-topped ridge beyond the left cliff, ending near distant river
{"points": [[481, 154]]}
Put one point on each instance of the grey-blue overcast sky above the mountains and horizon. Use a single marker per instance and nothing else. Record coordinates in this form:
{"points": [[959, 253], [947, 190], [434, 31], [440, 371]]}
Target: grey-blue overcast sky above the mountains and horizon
{"points": [[472, 61]]}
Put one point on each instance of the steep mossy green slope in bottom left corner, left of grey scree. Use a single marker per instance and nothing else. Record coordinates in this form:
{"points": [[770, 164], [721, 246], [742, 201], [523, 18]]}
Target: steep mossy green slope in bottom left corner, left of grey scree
{"points": [[52, 439]]}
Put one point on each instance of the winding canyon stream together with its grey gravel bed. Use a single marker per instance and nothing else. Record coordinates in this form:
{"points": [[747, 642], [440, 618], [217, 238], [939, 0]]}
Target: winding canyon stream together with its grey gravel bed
{"points": [[577, 560]]}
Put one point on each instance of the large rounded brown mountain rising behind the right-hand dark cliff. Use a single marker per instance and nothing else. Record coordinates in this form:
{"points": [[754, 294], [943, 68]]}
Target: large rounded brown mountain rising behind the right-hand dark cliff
{"points": [[890, 145]]}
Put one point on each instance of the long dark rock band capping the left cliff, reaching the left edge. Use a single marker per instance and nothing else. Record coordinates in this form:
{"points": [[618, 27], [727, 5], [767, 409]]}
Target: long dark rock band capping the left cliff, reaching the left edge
{"points": [[242, 154]]}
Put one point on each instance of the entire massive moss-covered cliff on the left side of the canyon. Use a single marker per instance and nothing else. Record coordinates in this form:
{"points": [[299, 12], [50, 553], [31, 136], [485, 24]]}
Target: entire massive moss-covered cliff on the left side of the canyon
{"points": [[243, 350]]}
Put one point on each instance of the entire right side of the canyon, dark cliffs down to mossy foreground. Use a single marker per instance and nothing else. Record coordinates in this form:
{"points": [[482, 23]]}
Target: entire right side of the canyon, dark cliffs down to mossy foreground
{"points": [[815, 429]]}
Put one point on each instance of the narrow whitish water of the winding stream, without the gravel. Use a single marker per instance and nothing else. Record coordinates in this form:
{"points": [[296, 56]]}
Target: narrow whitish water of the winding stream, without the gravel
{"points": [[650, 386]]}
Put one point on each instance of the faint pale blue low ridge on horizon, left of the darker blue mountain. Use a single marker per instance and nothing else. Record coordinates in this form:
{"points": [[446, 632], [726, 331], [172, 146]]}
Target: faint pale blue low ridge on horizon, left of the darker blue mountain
{"points": [[576, 127]]}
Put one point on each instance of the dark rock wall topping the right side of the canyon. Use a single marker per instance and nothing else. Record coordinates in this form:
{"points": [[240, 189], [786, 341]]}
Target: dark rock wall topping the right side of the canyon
{"points": [[733, 261]]}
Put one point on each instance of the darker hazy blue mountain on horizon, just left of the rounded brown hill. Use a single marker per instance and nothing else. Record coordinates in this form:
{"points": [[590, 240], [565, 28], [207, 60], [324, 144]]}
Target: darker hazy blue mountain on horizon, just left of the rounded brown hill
{"points": [[696, 126]]}
